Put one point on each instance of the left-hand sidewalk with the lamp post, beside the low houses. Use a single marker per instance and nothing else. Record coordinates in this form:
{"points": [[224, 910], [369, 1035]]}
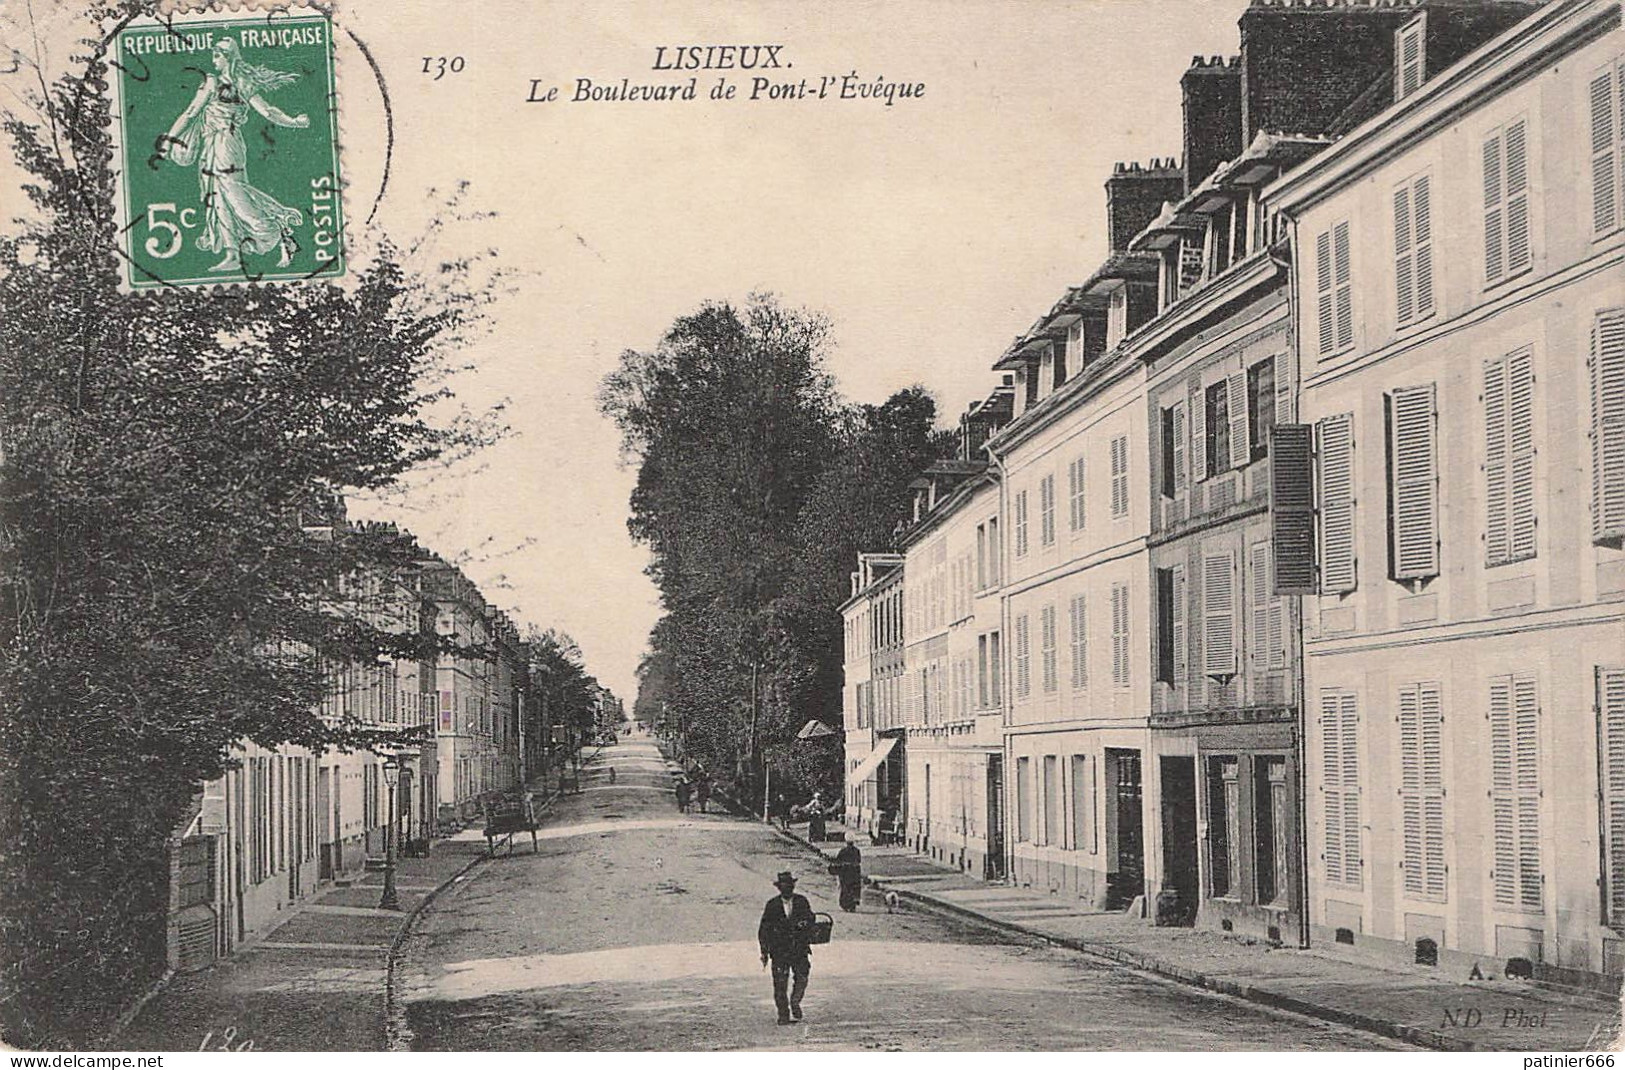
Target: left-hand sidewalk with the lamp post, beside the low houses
{"points": [[319, 981]]}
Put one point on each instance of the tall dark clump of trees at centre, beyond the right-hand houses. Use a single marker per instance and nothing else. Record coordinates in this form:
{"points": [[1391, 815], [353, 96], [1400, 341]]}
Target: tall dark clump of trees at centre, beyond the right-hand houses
{"points": [[758, 487]]}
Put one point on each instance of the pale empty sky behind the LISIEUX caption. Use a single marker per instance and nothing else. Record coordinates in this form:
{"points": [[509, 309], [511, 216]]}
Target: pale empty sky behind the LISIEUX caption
{"points": [[930, 232]]}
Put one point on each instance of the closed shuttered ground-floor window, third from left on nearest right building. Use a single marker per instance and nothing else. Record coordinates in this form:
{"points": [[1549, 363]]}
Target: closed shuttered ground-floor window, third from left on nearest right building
{"points": [[1515, 791]]}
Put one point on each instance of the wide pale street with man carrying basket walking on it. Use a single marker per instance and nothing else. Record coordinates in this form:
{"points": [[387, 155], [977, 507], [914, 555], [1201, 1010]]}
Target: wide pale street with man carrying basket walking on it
{"points": [[635, 928]]}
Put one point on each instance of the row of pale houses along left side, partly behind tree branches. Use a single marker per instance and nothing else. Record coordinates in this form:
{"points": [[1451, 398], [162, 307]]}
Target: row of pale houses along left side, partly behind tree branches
{"points": [[451, 728]]}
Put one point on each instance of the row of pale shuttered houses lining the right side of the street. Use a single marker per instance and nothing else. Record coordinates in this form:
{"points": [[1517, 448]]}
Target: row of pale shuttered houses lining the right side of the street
{"points": [[1278, 586]]}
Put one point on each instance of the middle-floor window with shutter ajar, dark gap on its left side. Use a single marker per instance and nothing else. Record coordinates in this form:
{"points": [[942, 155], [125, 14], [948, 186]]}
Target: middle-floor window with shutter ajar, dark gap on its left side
{"points": [[1413, 484]]}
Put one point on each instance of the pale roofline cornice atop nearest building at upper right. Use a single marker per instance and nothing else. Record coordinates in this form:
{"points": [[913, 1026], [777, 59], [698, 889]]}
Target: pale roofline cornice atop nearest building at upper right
{"points": [[1493, 71]]}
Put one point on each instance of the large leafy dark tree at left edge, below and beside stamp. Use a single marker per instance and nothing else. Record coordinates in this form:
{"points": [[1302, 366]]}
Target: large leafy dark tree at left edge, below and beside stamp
{"points": [[158, 591]]}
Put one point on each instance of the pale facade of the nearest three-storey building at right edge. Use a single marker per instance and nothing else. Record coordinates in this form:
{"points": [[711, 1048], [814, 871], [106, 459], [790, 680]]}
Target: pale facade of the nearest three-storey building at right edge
{"points": [[1460, 272]]}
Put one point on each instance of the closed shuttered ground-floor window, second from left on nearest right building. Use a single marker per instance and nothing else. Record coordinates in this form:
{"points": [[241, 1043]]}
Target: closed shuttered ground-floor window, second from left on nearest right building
{"points": [[1423, 789]]}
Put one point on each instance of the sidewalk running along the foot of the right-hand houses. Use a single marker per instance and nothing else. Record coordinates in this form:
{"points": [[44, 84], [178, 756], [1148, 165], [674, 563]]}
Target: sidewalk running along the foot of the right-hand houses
{"points": [[1406, 1004]]}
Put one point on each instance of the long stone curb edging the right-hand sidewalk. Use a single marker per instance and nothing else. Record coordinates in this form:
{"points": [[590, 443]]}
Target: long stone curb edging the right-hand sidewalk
{"points": [[1252, 994]]}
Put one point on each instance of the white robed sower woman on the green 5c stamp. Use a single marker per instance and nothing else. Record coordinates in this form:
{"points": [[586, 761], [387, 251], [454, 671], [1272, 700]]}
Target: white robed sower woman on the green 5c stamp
{"points": [[238, 217]]}
